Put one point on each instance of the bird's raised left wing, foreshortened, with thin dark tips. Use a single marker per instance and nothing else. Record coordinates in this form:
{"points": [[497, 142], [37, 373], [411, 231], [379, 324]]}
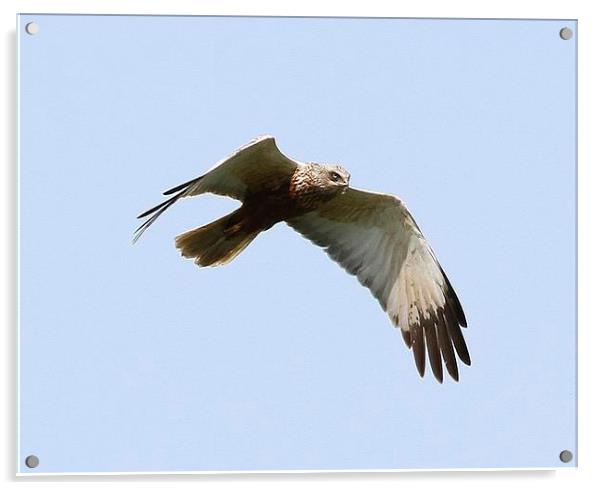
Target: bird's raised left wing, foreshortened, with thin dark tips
{"points": [[253, 167]]}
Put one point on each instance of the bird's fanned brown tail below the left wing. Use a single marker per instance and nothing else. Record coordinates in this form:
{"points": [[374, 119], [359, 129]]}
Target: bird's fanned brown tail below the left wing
{"points": [[216, 243]]}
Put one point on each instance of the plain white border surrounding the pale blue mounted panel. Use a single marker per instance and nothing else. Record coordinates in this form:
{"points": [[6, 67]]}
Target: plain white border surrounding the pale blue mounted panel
{"points": [[590, 156]]}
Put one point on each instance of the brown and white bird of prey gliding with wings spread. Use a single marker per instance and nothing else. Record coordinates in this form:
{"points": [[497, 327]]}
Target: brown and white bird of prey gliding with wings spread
{"points": [[371, 235]]}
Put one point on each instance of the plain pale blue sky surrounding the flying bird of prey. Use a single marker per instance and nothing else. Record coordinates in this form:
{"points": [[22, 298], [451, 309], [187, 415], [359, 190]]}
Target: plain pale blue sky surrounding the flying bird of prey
{"points": [[133, 359]]}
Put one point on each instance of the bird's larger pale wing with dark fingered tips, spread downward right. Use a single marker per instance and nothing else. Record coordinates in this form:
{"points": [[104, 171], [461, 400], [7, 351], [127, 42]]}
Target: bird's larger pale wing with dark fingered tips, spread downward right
{"points": [[374, 237]]}
